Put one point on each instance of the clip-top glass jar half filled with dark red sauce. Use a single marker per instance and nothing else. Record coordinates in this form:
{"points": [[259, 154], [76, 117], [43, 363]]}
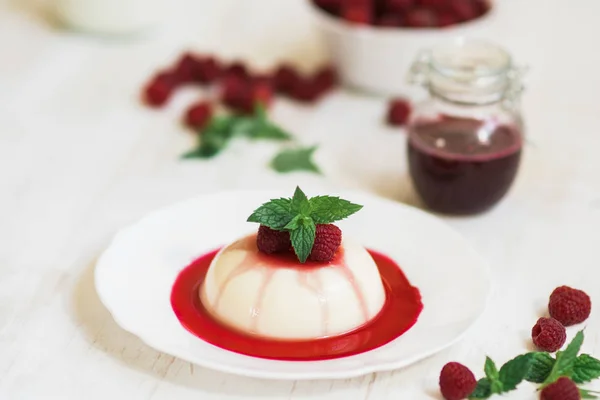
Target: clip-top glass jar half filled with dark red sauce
{"points": [[465, 140]]}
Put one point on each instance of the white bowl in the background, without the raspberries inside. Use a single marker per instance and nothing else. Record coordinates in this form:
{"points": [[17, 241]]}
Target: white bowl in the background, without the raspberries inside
{"points": [[377, 59]]}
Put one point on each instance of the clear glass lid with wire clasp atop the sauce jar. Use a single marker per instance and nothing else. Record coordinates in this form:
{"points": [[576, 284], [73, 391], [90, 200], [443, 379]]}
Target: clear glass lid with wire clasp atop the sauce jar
{"points": [[468, 71]]}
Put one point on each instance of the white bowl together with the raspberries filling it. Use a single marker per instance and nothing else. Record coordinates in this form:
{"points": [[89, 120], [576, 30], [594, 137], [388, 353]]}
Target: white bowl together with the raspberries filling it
{"points": [[372, 43]]}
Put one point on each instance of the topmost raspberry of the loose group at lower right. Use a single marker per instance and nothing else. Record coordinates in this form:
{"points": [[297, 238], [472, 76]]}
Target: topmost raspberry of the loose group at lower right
{"points": [[569, 306]]}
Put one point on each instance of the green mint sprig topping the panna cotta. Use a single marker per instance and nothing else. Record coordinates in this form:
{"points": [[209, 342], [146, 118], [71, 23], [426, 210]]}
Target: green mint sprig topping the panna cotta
{"points": [[300, 215]]}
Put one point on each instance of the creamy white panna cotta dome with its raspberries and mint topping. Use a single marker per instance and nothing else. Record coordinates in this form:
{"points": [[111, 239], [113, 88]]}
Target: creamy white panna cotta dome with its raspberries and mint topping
{"points": [[296, 278]]}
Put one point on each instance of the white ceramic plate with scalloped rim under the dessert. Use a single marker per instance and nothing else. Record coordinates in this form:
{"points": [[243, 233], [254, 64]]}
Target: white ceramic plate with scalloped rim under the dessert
{"points": [[454, 281]]}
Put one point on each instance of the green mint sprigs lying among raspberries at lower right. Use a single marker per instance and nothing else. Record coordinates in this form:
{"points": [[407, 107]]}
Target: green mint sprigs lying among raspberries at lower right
{"points": [[541, 368]]}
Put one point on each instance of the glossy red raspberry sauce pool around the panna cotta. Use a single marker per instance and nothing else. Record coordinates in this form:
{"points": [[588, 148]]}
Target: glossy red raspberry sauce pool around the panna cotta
{"points": [[400, 312]]}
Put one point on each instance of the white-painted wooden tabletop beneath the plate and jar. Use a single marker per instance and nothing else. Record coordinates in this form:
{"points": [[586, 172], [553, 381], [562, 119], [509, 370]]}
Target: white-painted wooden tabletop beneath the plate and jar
{"points": [[79, 158]]}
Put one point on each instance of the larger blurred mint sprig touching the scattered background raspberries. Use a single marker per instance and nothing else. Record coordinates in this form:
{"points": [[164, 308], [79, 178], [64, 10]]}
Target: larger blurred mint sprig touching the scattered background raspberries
{"points": [[222, 129]]}
